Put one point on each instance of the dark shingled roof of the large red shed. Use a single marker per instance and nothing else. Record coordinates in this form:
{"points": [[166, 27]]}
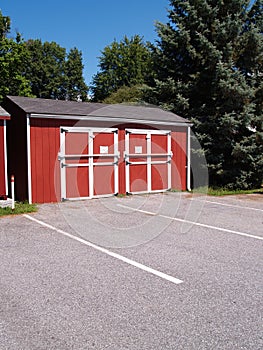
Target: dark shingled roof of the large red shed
{"points": [[86, 109]]}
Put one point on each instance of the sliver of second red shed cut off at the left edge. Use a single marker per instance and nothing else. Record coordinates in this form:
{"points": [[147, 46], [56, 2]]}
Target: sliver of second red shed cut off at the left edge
{"points": [[4, 116]]}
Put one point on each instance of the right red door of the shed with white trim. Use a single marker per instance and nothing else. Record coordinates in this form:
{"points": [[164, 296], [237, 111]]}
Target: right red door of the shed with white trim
{"points": [[147, 160]]}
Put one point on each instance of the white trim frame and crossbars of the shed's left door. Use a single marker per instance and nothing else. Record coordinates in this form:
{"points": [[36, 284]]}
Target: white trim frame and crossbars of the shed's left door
{"points": [[90, 139]]}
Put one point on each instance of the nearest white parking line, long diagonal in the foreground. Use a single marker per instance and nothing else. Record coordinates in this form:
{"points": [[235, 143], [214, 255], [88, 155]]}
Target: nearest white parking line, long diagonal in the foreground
{"points": [[108, 252]]}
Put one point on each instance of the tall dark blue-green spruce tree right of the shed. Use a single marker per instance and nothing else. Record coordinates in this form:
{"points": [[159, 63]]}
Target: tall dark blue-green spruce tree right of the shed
{"points": [[208, 61]]}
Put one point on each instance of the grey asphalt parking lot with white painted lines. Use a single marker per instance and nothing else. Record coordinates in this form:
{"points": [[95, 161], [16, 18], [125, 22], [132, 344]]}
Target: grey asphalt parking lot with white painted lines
{"points": [[164, 271]]}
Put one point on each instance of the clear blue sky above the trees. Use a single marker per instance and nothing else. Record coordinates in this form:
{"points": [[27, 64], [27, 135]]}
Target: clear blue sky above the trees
{"points": [[89, 25]]}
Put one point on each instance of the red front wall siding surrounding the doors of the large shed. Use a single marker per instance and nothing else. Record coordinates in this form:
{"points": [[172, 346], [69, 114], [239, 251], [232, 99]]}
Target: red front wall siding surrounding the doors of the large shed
{"points": [[45, 171]]}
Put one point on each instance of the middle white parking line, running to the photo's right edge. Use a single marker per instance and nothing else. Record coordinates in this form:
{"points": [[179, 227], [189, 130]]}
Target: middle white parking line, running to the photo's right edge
{"points": [[193, 223]]}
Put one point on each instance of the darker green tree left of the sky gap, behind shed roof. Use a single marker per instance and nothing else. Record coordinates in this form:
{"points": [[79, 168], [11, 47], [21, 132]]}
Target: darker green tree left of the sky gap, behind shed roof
{"points": [[53, 73]]}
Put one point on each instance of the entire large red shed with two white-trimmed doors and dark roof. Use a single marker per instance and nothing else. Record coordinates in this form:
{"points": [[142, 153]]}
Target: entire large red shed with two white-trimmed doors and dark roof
{"points": [[62, 150]]}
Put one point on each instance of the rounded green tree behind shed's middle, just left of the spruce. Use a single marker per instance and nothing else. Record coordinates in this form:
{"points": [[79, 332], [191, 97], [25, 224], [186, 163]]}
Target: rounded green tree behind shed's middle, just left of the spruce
{"points": [[122, 64]]}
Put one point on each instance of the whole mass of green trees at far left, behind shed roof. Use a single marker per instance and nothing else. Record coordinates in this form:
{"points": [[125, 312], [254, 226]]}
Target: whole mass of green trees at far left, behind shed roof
{"points": [[33, 68]]}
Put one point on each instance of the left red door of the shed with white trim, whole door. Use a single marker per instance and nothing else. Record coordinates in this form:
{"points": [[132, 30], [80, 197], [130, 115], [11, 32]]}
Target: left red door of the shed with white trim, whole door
{"points": [[89, 162]]}
